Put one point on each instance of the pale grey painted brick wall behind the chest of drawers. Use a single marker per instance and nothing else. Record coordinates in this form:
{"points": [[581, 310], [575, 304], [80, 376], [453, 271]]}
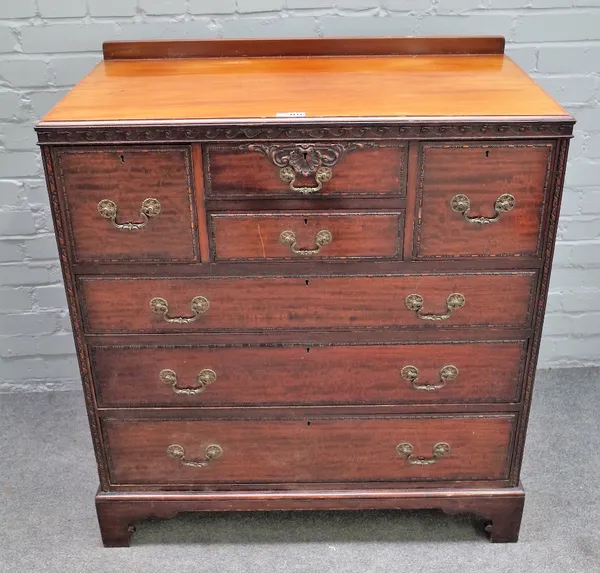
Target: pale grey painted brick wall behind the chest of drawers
{"points": [[48, 45]]}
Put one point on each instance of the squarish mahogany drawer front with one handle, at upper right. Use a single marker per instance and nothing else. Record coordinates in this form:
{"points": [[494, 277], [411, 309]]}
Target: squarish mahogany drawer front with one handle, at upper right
{"points": [[481, 199]]}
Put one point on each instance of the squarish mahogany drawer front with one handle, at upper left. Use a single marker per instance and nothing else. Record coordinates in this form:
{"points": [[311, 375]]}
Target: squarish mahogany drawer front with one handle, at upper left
{"points": [[130, 204]]}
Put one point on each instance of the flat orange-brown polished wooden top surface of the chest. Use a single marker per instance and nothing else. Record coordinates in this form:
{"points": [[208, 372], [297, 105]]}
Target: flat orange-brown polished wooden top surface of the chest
{"points": [[344, 87]]}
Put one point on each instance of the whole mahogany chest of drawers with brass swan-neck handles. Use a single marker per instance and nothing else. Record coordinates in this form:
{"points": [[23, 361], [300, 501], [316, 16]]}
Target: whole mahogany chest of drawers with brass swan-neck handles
{"points": [[307, 274]]}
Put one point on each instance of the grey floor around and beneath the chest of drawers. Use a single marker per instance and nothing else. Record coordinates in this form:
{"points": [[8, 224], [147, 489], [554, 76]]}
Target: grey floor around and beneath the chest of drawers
{"points": [[48, 522]]}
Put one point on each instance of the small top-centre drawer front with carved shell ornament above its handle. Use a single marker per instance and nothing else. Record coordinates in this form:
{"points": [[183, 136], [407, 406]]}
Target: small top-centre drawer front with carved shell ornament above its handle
{"points": [[312, 169]]}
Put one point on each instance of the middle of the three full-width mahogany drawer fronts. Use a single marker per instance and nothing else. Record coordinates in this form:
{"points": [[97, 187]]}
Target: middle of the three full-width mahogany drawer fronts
{"points": [[390, 374]]}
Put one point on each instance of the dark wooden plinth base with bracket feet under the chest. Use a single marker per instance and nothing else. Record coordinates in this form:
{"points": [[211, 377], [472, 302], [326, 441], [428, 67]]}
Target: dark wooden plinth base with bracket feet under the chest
{"points": [[501, 509]]}
